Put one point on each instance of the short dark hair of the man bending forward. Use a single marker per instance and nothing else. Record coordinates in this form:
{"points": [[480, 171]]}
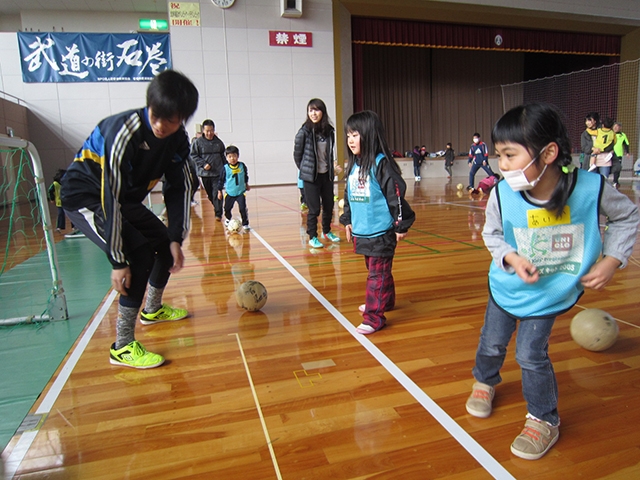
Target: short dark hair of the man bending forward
{"points": [[171, 93]]}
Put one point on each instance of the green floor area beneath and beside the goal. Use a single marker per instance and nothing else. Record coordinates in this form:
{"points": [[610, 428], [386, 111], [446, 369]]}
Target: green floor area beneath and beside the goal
{"points": [[30, 354]]}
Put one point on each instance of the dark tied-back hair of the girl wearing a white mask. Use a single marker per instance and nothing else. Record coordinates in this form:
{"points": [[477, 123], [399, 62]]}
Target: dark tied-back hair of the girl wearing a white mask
{"points": [[534, 126]]}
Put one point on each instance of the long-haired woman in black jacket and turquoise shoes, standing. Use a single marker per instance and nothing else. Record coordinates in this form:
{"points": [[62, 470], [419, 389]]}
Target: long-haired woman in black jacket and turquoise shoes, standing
{"points": [[314, 155]]}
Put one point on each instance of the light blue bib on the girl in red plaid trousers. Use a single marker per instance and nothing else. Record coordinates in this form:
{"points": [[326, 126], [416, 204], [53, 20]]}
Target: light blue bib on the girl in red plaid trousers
{"points": [[370, 215]]}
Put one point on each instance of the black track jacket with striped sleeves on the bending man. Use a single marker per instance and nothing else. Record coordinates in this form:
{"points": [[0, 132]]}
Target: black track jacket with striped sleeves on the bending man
{"points": [[120, 163]]}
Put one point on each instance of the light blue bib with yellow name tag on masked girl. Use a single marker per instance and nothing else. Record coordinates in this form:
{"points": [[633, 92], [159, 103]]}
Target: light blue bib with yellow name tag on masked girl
{"points": [[563, 250]]}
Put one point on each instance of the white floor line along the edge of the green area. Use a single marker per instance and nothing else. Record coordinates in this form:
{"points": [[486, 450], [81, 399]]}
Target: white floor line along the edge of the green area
{"points": [[27, 438]]}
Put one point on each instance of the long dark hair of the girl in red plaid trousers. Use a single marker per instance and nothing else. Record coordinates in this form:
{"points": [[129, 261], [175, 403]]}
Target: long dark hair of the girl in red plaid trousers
{"points": [[372, 142]]}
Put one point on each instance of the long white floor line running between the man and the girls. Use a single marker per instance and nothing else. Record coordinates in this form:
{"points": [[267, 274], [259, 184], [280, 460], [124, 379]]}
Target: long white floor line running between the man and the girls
{"points": [[490, 464]]}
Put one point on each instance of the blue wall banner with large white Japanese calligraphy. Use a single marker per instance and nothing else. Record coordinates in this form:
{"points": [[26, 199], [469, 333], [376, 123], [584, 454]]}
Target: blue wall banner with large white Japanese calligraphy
{"points": [[92, 57]]}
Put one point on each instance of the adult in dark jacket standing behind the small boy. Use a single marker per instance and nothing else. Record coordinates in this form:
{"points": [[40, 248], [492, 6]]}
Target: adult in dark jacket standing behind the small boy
{"points": [[207, 151]]}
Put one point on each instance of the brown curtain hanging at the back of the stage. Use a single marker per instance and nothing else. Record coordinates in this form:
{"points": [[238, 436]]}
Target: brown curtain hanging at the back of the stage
{"points": [[433, 96]]}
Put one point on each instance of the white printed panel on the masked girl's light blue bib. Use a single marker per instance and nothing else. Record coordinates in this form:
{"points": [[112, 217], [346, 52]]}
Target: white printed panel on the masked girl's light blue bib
{"points": [[554, 249]]}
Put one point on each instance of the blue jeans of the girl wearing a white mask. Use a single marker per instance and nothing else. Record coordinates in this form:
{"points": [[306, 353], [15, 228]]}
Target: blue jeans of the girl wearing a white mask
{"points": [[539, 386]]}
